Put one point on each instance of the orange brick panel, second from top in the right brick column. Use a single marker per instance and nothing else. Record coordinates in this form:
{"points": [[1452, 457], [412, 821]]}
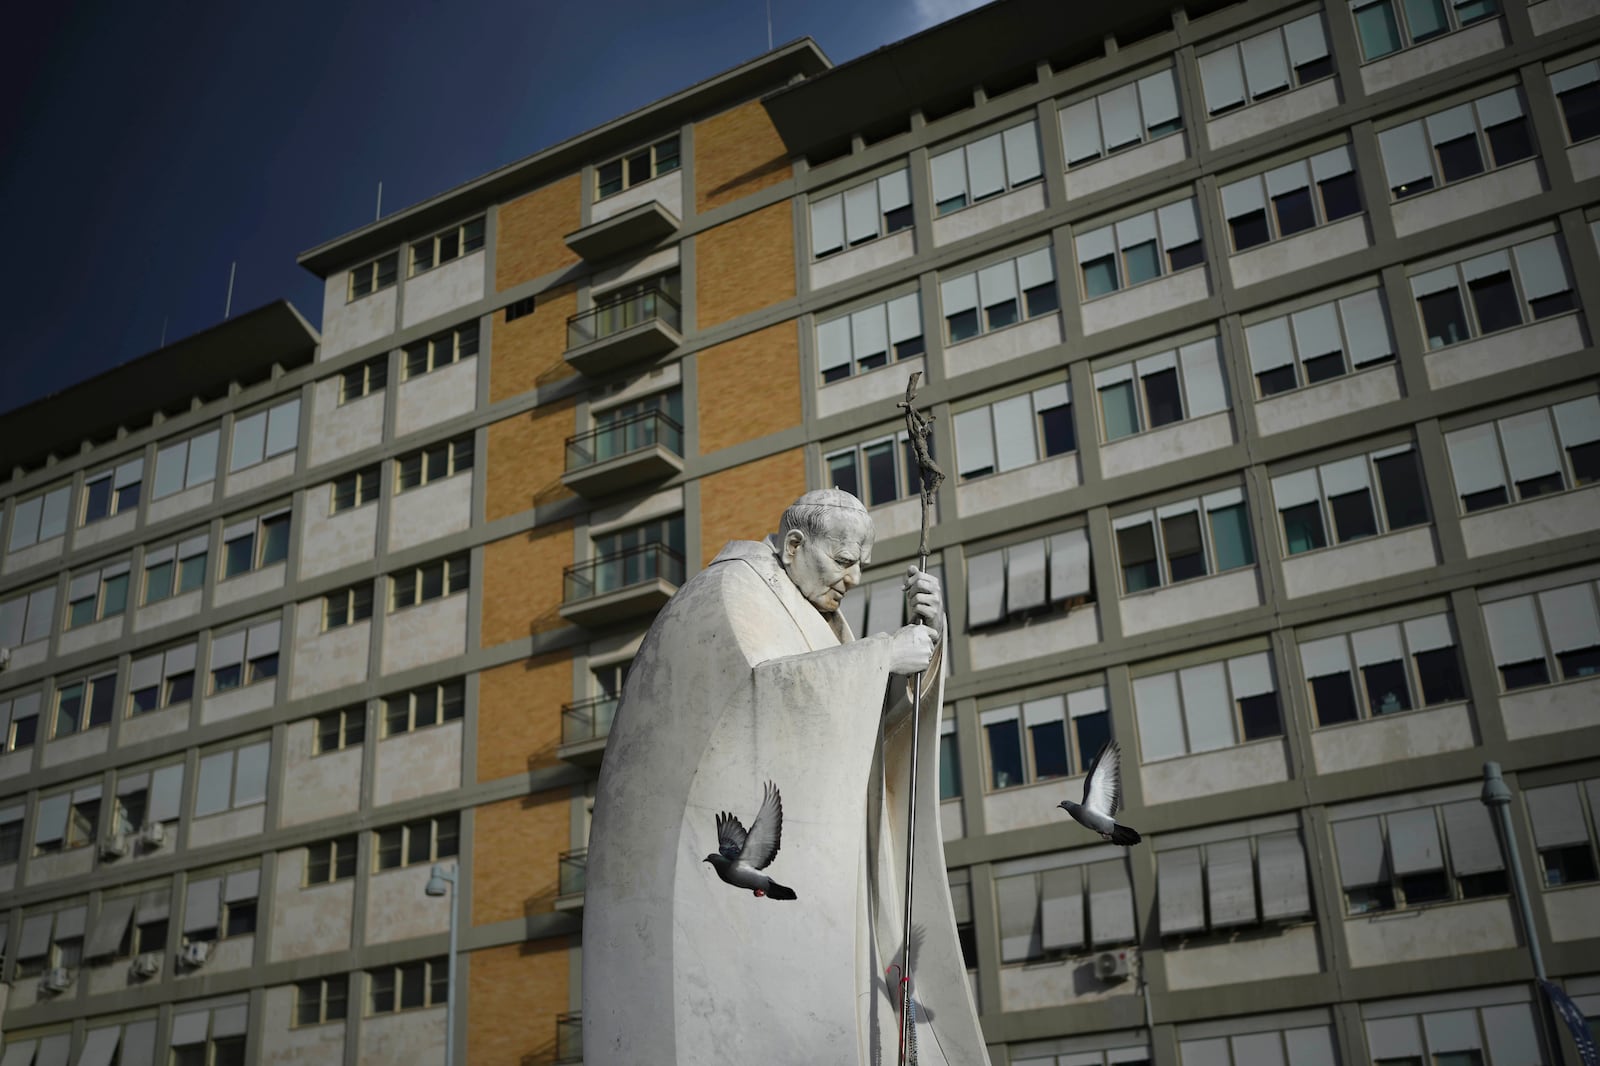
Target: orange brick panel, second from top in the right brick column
{"points": [[745, 265]]}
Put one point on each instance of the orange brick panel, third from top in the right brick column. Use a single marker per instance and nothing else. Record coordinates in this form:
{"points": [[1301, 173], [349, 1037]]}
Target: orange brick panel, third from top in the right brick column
{"points": [[750, 387]]}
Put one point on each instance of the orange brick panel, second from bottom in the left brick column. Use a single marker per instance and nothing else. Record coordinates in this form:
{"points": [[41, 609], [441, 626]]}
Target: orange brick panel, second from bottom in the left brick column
{"points": [[516, 846]]}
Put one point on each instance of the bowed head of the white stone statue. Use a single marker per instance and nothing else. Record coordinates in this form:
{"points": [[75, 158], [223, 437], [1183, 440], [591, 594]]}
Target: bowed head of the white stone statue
{"points": [[825, 539]]}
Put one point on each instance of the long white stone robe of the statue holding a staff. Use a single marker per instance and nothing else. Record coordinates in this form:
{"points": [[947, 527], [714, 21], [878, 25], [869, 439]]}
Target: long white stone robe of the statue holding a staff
{"points": [[743, 681]]}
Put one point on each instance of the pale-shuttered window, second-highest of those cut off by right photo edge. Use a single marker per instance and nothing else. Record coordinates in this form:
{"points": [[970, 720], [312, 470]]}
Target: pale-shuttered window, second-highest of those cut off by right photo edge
{"points": [[1546, 451]]}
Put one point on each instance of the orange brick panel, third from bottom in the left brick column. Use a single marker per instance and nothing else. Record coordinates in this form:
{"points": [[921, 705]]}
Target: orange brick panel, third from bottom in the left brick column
{"points": [[521, 715]]}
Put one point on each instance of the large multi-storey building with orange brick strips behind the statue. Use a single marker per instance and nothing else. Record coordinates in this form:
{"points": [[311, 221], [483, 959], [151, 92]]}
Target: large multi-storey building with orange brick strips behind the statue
{"points": [[1258, 343]]}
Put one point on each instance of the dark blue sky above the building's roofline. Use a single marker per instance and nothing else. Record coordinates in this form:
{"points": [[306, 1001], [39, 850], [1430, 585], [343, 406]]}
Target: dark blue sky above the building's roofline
{"points": [[148, 146]]}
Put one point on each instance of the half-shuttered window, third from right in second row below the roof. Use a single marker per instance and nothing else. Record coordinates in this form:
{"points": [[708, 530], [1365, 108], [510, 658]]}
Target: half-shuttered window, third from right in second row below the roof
{"points": [[1292, 199]]}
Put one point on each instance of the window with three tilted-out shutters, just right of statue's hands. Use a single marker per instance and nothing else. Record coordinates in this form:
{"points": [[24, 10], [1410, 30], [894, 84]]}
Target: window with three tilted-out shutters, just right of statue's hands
{"points": [[1031, 579]]}
